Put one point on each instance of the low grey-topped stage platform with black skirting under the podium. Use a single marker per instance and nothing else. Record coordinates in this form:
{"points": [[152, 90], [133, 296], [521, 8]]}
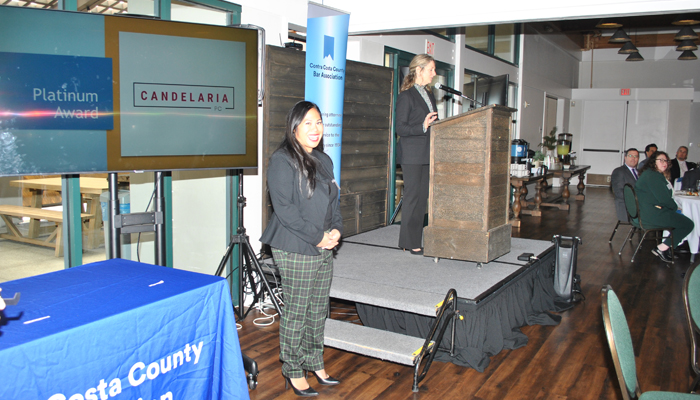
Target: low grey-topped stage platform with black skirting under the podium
{"points": [[398, 292]]}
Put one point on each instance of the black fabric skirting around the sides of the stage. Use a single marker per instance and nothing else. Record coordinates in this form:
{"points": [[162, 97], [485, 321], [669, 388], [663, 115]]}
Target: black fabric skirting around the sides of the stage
{"points": [[488, 326]]}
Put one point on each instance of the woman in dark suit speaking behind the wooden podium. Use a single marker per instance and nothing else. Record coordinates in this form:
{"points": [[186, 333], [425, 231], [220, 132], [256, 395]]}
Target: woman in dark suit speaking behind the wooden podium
{"points": [[415, 111]]}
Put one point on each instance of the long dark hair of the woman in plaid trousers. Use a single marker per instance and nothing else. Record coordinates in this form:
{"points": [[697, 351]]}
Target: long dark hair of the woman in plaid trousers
{"points": [[304, 162]]}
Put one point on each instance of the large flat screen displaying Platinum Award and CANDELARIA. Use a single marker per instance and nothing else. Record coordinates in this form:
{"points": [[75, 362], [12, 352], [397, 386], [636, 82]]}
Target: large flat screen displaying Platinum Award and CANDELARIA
{"points": [[87, 93]]}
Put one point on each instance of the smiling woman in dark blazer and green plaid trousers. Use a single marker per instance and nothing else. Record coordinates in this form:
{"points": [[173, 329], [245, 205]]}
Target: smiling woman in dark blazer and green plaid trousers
{"points": [[305, 227]]}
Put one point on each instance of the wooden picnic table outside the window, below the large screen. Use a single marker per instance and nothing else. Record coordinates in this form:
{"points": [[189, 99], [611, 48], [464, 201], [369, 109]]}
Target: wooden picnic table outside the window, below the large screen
{"points": [[90, 190]]}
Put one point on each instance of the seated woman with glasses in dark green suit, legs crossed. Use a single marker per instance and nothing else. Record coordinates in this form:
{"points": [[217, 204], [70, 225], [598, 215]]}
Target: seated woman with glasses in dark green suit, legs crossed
{"points": [[656, 205]]}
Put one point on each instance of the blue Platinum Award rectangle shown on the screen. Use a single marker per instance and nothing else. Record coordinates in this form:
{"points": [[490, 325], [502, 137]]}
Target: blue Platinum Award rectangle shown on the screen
{"points": [[42, 91]]}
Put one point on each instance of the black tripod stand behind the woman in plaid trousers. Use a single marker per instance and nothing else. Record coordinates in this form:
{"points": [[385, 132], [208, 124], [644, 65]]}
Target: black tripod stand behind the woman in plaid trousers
{"points": [[247, 262]]}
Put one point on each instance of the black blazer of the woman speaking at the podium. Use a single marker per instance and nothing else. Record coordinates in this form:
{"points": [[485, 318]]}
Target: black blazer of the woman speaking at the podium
{"points": [[414, 144]]}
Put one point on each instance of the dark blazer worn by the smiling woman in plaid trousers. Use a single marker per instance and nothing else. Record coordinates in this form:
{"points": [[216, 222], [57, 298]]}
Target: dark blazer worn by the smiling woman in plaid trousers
{"points": [[297, 222]]}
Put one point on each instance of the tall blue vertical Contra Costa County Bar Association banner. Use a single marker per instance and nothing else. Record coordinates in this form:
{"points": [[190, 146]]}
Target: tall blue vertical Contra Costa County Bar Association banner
{"points": [[326, 48]]}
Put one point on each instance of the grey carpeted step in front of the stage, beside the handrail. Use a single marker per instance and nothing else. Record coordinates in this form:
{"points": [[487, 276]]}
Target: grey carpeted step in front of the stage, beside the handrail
{"points": [[372, 342]]}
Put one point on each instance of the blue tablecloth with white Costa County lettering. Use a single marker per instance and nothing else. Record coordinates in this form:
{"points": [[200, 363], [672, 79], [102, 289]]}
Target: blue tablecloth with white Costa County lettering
{"points": [[123, 330]]}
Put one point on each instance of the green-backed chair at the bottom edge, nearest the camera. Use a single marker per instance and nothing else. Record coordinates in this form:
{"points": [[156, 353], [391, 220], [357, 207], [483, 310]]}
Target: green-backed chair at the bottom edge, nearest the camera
{"points": [[620, 341]]}
